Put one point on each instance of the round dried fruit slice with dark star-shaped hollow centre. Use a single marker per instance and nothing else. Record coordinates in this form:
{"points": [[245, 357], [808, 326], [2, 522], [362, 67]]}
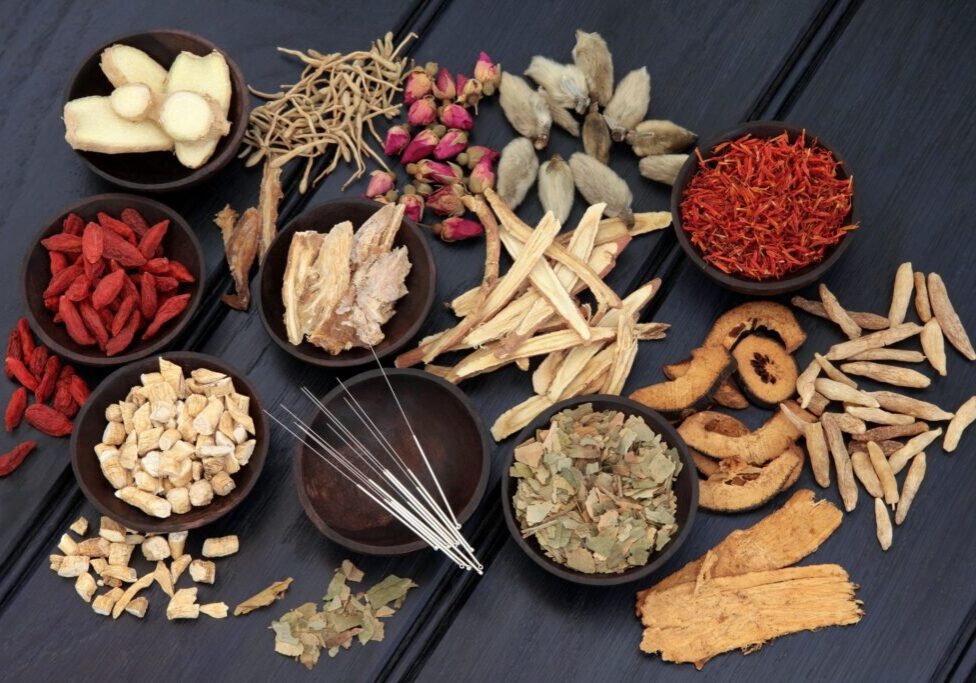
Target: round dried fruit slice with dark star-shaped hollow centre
{"points": [[764, 370]]}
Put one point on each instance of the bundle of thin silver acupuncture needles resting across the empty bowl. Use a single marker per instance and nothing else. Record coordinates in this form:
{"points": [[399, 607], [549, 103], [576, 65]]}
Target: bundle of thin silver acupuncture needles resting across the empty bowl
{"points": [[369, 462]]}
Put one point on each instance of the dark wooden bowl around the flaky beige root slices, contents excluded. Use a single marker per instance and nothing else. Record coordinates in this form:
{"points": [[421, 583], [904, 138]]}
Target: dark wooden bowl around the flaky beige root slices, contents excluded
{"points": [[411, 310]]}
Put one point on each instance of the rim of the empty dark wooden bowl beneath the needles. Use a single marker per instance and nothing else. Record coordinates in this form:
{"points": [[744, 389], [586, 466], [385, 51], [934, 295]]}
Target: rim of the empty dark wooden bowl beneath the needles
{"points": [[466, 511]]}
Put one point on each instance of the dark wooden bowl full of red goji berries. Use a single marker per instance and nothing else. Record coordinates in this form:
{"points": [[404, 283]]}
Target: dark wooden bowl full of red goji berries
{"points": [[112, 278]]}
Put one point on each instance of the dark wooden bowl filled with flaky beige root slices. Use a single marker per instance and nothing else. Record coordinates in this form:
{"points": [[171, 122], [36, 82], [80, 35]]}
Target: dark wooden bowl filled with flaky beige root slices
{"points": [[344, 279]]}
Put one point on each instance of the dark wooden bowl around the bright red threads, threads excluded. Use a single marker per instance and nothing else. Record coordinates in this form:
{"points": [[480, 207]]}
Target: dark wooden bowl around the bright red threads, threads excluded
{"points": [[792, 281]]}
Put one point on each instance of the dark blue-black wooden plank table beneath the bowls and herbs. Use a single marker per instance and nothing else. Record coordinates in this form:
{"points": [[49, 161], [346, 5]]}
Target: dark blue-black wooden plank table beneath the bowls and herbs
{"points": [[888, 84]]}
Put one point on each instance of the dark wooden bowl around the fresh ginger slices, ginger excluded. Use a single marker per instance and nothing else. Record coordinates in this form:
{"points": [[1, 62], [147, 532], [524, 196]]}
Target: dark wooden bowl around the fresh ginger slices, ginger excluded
{"points": [[160, 171]]}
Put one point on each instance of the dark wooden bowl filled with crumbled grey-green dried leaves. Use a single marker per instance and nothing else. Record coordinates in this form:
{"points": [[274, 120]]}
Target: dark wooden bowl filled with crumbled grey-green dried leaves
{"points": [[601, 490]]}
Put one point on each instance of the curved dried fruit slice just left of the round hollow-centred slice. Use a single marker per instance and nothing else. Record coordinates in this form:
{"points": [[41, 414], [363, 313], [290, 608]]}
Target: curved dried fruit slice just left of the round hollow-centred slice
{"points": [[710, 366]]}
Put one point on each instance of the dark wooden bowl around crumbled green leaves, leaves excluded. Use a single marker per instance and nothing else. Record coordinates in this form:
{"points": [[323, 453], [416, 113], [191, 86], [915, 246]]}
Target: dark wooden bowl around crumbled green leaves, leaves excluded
{"points": [[686, 490]]}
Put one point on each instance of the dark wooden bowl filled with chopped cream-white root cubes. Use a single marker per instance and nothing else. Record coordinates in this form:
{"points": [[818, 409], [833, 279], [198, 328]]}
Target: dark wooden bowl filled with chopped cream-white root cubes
{"points": [[170, 443]]}
